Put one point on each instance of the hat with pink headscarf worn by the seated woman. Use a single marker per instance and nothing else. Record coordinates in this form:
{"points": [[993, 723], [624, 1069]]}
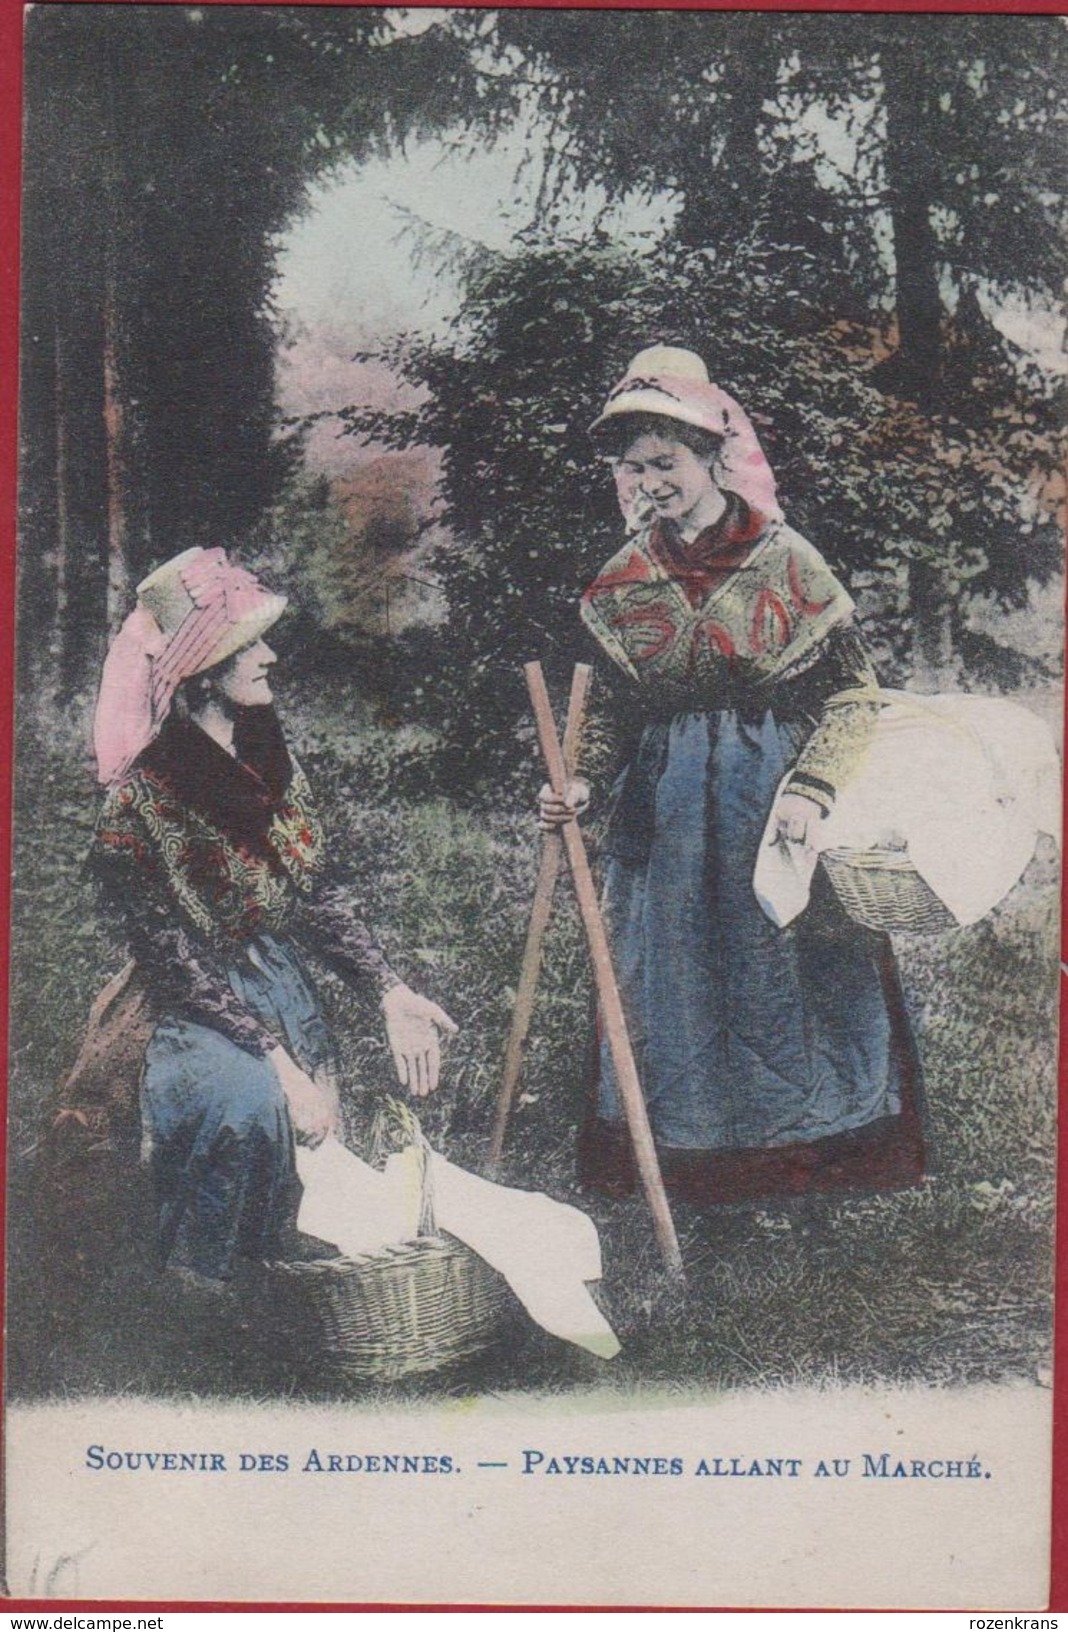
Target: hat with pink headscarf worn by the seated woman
{"points": [[192, 614]]}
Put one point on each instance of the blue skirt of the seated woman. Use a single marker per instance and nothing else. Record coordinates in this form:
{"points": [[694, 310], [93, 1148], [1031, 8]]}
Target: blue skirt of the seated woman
{"points": [[216, 1120]]}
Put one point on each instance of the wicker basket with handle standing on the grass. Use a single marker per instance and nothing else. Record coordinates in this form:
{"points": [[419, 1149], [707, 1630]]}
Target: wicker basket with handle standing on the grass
{"points": [[412, 1308]]}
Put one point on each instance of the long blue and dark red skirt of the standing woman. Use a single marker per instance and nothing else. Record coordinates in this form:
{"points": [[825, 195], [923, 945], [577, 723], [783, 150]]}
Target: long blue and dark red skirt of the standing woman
{"points": [[773, 1060]]}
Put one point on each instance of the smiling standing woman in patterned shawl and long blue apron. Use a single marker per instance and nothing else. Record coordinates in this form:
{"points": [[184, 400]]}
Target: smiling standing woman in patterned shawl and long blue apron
{"points": [[775, 1062]]}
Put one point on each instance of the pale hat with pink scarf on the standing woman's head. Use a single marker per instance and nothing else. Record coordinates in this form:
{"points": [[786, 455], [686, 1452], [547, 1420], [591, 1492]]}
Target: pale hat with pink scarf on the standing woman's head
{"points": [[674, 384]]}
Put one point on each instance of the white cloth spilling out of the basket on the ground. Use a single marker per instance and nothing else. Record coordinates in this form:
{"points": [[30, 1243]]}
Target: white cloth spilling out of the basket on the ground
{"points": [[545, 1249]]}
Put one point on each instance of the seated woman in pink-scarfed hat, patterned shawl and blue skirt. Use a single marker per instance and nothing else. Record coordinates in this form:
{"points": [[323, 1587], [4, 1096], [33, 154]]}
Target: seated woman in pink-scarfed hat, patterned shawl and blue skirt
{"points": [[211, 851]]}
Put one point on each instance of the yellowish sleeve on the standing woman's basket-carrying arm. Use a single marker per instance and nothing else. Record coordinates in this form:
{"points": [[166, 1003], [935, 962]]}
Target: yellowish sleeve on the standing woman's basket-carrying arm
{"points": [[845, 696]]}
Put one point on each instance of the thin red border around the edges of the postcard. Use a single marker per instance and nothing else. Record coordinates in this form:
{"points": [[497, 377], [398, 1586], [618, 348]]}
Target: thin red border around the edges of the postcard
{"points": [[11, 171]]}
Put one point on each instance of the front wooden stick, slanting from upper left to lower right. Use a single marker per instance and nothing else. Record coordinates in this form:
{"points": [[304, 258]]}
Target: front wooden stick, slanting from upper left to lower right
{"points": [[608, 988]]}
